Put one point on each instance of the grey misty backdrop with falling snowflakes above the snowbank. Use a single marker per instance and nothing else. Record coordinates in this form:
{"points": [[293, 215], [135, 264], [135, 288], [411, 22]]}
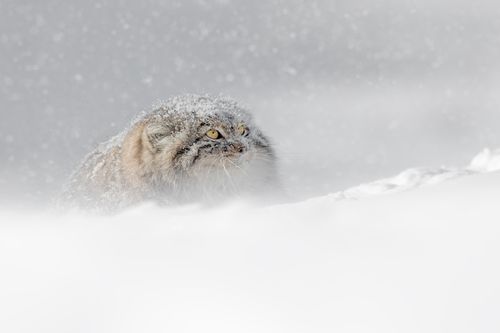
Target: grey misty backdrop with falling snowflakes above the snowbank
{"points": [[349, 91]]}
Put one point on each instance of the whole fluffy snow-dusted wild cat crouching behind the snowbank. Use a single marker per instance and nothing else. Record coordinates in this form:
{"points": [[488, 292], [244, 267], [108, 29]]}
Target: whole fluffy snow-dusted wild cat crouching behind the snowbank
{"points": [[190, 148]]}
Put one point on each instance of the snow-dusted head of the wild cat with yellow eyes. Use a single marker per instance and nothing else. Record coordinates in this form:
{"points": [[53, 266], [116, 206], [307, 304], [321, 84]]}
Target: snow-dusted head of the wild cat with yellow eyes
{"points": [[209, 144]]}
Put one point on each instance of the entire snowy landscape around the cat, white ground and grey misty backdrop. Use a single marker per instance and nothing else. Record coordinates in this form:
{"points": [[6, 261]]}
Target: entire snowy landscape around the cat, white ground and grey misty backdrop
{"points": [[385, 117]]}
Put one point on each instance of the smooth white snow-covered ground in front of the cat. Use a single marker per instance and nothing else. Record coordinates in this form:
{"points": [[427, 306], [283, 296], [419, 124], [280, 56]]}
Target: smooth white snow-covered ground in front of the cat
{"points": [[422, 257]]}
